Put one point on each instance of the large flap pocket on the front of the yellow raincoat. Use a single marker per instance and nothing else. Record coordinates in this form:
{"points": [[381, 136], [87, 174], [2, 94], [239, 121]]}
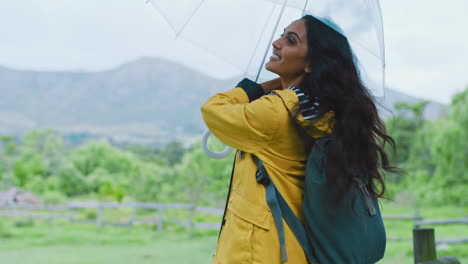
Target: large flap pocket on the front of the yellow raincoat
{"points": [[236, 242]]}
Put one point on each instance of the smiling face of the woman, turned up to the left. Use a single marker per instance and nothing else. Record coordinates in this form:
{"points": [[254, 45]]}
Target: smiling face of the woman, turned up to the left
{"points": [[289, 52]]}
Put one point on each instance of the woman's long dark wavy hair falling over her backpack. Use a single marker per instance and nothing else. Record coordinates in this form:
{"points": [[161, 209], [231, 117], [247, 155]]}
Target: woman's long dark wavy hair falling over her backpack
{"points": [[359, 135]]}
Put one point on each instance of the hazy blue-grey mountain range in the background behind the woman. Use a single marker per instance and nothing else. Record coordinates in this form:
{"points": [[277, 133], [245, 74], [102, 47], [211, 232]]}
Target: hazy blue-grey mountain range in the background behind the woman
{"points": [[144, 101]]}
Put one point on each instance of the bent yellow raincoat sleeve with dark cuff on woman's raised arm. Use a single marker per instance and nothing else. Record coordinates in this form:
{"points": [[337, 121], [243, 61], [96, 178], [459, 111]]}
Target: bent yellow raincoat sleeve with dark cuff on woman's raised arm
{"points": [[242, 118]]}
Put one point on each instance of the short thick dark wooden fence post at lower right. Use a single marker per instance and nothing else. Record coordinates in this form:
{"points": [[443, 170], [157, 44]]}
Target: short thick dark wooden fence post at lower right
{"points": [[424, 245]]}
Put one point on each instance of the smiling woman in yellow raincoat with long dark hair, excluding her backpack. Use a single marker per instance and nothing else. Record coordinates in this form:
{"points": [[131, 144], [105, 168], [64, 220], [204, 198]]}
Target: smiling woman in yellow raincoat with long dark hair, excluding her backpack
{"points": [[319, 93]]}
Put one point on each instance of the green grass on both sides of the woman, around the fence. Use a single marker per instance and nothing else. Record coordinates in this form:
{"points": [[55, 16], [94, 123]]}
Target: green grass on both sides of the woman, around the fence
{"points": [[25, 242]]}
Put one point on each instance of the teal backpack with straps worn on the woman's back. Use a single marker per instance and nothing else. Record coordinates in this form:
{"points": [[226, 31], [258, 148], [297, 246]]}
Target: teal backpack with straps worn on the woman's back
{"points": [[350, 231]]}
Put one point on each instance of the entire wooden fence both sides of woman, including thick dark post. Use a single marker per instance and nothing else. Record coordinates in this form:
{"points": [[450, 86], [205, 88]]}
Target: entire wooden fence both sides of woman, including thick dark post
{"points": [[423, 238]]}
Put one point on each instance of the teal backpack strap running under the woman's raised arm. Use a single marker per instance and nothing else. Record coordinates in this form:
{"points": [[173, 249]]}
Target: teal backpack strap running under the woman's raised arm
{"points": [[280, 209]]}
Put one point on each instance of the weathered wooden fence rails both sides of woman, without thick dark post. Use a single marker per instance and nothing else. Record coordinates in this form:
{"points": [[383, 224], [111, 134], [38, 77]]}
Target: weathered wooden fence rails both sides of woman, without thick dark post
{"points": [[69, 212]]}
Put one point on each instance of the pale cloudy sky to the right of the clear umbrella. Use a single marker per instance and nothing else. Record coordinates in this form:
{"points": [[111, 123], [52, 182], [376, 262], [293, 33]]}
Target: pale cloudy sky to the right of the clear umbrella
{"points": [[426, 44]]}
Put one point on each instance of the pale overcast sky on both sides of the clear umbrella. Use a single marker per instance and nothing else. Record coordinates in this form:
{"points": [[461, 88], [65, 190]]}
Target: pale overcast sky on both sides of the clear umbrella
{"points": [[426, 40]]}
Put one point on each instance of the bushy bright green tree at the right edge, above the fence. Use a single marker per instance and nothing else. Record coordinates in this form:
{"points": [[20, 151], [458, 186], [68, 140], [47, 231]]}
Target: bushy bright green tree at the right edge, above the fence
{"points": [[437, 160]]}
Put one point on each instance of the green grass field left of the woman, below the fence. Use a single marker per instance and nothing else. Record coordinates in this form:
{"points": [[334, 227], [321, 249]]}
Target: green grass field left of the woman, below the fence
{"points": [[81, 244]]}
